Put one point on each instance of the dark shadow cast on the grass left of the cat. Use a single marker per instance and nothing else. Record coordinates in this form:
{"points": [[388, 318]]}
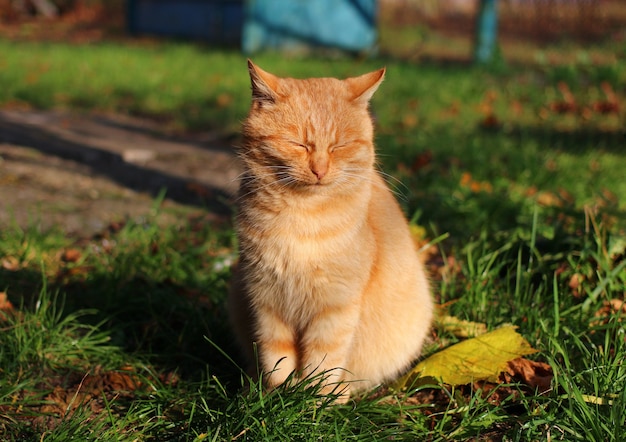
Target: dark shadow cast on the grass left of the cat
{"points": [[177, 328]]}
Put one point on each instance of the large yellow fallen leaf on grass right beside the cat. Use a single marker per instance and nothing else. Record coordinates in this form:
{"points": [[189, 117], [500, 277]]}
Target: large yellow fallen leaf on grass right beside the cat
{"points": [[482, 358]]}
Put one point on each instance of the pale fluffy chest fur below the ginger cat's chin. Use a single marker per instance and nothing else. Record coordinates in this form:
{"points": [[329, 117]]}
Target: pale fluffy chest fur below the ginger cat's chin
{"points": [[306, 251]]}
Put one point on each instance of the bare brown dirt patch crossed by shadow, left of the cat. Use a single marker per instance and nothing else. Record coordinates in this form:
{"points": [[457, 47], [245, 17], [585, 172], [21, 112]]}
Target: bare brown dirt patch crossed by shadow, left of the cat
{"points": [[82, 172]]}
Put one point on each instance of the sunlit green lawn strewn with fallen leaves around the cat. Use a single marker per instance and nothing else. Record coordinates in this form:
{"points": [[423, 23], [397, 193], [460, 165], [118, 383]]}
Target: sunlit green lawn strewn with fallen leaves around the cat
{"points": [[513, 178]]}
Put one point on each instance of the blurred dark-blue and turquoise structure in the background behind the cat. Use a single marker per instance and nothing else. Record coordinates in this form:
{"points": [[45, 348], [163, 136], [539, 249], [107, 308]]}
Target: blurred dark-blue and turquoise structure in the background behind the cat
{"points": [[349, 25]]}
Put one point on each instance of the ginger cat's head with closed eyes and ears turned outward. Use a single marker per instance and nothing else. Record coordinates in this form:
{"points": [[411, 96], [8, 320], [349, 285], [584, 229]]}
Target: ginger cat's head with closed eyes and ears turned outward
{"points": [[312, 132]]}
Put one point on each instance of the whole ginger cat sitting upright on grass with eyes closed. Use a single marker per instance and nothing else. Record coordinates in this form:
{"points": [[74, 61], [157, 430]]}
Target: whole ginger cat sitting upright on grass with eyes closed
{"points": [[328, 278]]}
